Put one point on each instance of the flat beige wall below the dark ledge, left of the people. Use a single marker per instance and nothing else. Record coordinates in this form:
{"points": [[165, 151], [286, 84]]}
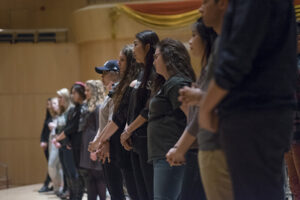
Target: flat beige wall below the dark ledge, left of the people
{"points": [[29, 74]]}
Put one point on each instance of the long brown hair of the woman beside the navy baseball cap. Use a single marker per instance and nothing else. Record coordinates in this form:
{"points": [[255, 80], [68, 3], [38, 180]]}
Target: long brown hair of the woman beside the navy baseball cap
{"points": [[130, 74]]}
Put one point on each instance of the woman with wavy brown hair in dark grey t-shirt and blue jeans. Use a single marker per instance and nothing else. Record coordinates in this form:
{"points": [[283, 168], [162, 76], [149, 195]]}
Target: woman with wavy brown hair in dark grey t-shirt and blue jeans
{"points": [[167, 116]]}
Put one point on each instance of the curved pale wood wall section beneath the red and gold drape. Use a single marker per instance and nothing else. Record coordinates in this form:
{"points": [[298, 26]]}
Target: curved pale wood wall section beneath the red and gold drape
{"points": [[93, 28]]}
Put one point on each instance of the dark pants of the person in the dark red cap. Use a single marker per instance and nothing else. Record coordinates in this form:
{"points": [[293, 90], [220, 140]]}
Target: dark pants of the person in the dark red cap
{"points": [[74, 180]]}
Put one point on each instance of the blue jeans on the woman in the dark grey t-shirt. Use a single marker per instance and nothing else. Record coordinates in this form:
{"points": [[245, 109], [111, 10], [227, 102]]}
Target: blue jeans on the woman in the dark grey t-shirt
{"points": [[167, 180]]}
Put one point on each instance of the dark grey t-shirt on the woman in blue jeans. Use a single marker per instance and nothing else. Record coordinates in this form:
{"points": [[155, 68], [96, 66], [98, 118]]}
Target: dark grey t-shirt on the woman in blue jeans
{"points": [[166, 120]]}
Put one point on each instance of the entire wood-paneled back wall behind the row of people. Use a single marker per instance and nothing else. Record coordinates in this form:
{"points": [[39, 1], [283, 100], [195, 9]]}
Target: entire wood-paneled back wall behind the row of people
{"points": [[30, 73]]}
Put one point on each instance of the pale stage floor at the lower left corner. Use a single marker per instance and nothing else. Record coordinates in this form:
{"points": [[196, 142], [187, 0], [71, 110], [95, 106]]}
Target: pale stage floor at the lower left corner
{"points": [[29, 192]]}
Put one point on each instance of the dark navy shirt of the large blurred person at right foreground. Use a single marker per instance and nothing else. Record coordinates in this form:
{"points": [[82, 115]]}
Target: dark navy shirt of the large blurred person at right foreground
{"points": [[257, 55]]}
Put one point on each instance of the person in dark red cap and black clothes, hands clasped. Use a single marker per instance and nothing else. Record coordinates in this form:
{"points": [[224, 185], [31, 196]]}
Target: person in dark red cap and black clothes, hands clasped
{"points": [[71, 162]]}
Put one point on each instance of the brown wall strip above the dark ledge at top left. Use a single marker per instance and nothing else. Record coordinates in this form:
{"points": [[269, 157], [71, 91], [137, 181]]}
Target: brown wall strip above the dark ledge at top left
{"points": [[37, 14]]}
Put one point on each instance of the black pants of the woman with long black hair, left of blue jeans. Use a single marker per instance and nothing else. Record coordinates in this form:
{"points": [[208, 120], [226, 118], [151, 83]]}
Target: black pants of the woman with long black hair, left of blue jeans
{"points": [[143, 171]]}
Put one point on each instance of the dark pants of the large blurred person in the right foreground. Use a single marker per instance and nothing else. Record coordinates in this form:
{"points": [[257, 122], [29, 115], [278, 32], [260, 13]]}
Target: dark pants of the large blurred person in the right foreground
{"points": [[254, 143]]}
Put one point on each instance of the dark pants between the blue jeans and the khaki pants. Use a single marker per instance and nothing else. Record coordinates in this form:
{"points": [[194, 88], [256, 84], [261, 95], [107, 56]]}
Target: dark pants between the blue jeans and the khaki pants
{"points": [[192, 187]]}
